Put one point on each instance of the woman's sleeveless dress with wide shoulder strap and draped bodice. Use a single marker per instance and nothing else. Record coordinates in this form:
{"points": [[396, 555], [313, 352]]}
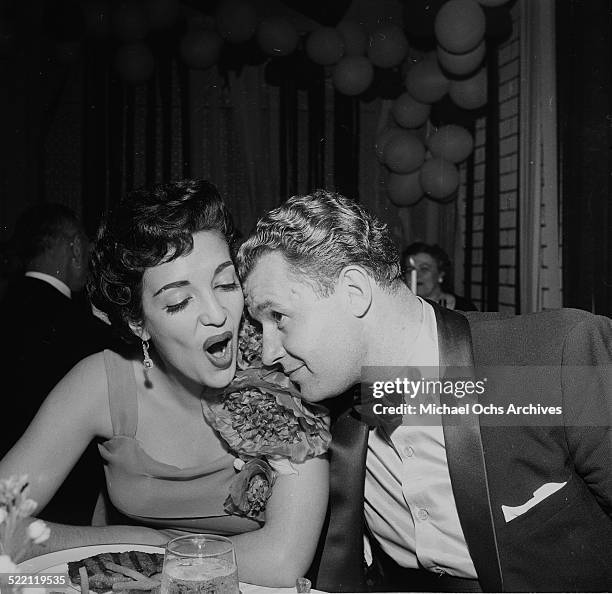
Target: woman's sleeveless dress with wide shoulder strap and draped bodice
{"points": [[151, 493]]}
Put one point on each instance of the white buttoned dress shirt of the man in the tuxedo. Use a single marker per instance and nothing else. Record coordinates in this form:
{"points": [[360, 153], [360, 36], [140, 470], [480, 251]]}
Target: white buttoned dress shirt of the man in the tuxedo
{"points": [[409, 503]]}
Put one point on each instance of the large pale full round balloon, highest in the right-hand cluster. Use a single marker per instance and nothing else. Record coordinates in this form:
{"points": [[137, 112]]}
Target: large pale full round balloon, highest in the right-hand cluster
{"points": [[460, 25]]}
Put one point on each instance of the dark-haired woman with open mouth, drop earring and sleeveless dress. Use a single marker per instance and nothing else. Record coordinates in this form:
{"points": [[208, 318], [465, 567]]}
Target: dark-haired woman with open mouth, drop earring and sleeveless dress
{"points": [[163, 274]]}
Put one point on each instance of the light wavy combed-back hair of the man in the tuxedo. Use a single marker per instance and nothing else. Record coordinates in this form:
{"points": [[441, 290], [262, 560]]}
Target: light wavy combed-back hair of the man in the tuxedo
{"points": [[321, 233]]}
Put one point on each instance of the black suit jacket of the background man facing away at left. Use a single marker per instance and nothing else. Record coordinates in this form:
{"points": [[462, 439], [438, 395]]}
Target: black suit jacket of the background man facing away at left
{"points": [[44, 334]]}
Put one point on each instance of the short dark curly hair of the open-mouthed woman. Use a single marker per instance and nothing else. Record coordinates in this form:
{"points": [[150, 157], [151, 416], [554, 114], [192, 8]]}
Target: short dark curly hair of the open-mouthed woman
{"points": [[151, 226]]}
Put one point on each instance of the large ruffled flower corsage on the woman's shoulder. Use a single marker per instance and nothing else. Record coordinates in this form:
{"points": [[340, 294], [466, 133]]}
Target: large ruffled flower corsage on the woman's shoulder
{"points": [[265, 422]]}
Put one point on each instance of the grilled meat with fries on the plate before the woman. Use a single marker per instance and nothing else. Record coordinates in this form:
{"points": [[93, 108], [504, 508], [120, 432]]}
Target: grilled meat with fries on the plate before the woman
{"points": [[131, 570]]}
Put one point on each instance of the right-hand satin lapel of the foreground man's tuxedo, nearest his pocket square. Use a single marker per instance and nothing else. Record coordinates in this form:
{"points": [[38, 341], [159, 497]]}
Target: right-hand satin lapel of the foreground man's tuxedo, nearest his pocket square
{"points": [[464, 453]]}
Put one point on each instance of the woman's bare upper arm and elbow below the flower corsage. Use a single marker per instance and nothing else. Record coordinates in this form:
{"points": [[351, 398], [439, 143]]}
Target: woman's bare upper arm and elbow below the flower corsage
{"points": [[282, 550]]}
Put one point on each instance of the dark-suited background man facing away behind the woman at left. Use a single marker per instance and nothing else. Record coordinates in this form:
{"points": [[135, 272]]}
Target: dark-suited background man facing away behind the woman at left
{"points": [[46, 330]]}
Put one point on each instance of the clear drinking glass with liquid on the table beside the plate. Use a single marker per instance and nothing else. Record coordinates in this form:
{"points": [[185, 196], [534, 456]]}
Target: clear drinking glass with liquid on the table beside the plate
{"points": [[200, 564]]}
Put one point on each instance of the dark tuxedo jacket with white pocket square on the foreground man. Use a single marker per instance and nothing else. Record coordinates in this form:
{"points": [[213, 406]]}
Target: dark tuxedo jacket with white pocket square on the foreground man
{"points": [[561, 544]]}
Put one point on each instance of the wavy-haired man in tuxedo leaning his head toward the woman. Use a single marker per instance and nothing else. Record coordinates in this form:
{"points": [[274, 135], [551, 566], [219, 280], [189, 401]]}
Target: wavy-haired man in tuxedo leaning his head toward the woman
{"points": [[465, 503]]}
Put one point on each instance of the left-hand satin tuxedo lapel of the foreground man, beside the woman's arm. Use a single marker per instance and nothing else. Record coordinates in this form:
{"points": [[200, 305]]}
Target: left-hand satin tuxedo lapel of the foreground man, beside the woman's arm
{"points": [[340, 558]]}
